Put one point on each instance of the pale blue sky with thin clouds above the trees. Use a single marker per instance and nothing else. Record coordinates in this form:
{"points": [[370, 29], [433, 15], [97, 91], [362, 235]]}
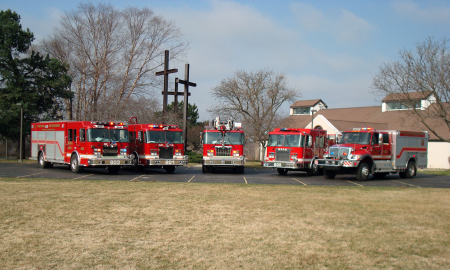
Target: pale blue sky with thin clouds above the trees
{"points": [[329, 50]]}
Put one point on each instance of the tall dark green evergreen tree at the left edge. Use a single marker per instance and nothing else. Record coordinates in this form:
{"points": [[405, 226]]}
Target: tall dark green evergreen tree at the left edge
{"points": [[38, 82]]}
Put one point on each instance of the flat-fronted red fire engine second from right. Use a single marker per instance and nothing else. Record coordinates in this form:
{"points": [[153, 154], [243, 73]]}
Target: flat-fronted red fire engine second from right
{"points": [[295, 149]]}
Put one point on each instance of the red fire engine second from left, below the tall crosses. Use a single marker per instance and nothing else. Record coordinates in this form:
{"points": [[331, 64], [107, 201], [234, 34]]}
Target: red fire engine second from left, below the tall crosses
{"points": [[156, 146]]}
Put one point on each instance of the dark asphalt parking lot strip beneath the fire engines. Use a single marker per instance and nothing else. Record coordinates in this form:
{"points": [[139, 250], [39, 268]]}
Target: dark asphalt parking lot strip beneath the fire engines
{"points": [[194, 173]]}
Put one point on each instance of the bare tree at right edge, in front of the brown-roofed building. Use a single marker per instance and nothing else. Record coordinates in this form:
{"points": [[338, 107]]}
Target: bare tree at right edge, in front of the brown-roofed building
{"points": [[420, 74]]}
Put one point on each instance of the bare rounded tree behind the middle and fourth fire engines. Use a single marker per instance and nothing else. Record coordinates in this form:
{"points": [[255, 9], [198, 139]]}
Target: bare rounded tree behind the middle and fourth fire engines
{"points": [[254, 98]]}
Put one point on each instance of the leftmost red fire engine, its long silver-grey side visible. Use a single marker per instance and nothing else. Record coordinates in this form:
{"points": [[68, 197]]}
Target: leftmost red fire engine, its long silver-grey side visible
{"points": [[80, 144]]}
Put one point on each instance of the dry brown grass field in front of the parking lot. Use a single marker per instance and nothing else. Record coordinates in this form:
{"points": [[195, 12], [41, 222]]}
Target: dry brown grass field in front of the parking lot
{"points": [[53, 224]]}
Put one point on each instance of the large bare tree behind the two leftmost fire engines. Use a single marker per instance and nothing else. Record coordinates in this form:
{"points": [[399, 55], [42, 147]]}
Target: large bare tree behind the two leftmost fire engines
{"points": [[113, 55]]}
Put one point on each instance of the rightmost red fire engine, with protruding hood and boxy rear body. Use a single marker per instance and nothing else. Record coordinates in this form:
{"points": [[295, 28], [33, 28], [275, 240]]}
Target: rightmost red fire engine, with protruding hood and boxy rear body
{"points": [[365, 151]]}
